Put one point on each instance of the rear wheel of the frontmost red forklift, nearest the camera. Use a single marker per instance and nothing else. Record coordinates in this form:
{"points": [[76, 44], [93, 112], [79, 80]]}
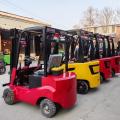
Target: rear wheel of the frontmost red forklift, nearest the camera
{"points": [[48, 108]]}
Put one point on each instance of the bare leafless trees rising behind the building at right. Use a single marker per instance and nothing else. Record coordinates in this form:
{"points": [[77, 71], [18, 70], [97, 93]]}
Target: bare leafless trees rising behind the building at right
{"points": [[94, 17]]}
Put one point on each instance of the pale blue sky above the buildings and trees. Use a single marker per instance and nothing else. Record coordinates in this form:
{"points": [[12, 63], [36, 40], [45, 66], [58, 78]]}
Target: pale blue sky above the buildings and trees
{"points": [[63, 14]]}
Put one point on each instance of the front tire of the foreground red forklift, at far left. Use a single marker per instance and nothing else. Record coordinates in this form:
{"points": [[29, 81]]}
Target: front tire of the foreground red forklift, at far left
{"points": [[8, 96]]}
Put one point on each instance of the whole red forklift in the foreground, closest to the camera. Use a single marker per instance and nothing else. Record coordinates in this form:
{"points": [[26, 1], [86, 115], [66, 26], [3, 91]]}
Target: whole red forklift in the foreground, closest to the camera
{"points": [[36, 82]]}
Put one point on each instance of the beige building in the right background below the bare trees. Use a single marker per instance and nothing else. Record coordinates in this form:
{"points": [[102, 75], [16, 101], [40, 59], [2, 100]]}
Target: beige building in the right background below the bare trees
{"points": [[113, 30]]}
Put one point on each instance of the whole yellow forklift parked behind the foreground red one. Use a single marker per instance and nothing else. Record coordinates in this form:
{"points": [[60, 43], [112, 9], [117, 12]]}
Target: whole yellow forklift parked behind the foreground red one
{"points": [[87, 72]]}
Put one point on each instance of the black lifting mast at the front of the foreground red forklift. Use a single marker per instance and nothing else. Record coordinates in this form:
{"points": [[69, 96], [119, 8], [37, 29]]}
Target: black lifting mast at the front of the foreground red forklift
{"points": [[18, 39]]}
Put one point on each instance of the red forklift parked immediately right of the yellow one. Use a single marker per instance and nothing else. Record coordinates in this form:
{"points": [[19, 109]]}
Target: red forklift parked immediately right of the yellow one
{"points": [[101, 53]]}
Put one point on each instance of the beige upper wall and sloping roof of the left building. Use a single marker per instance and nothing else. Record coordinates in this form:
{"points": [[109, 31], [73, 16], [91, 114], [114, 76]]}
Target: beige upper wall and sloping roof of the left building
{"points": [[8, 21]]}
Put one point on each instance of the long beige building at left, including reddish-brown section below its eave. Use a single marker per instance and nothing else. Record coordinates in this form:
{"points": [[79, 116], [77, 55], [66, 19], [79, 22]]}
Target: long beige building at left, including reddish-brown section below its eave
{"points": [[8, 21]]}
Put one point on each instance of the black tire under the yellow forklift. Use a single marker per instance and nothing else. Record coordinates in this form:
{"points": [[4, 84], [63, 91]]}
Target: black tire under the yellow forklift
{"points": [[82, 87]]}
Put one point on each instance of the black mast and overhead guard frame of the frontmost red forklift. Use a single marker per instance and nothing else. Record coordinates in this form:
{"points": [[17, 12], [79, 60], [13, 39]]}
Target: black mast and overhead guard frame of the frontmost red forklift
{"points": [[20, 37]]}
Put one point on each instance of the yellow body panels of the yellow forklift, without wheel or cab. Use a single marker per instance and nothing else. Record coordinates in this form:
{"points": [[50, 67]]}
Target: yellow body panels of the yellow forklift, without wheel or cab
{"points": [[82, 71]]}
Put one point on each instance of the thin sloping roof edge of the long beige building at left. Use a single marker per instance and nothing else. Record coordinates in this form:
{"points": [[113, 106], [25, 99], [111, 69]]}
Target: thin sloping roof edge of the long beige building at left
{"points": [[2, 13]]}
